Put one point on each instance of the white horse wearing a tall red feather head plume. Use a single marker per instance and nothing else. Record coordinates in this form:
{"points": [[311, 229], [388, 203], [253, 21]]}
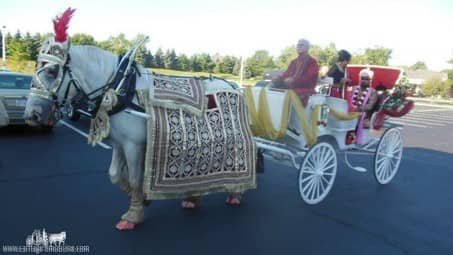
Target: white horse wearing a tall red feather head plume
{"points": [[62, 72]]}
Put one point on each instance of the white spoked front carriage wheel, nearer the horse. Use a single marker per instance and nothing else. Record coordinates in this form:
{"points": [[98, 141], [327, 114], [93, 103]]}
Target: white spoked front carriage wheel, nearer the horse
{"points": [[317, 173]]}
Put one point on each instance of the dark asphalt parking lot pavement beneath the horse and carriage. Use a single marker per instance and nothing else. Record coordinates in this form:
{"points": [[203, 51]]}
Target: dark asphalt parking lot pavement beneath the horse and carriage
{"points": [[59, 183]]}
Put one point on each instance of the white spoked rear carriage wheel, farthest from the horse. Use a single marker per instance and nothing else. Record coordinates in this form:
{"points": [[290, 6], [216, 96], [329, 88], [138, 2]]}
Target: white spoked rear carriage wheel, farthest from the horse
{"points": [[388, 154]]}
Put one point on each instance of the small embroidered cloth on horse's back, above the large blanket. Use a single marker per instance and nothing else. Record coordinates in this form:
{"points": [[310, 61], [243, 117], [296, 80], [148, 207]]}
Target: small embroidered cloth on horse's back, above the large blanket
{"points": [[179, 92]]}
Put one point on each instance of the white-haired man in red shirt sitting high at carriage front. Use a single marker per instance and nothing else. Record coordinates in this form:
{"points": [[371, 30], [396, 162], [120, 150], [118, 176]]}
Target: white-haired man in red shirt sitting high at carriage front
{"points": [[302, 73]]}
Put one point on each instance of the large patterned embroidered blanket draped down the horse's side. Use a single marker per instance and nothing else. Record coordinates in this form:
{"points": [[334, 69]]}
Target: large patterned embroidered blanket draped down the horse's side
{"points": [[191, 156]]}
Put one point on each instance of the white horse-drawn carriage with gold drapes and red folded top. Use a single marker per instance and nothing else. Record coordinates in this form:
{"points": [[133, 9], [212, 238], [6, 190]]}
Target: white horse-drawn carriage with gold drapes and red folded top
{"points": [[328, 119]]}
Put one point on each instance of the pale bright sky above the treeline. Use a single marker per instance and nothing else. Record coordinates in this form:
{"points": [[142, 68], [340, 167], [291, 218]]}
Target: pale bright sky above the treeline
{"points": [[415, 30]]}
